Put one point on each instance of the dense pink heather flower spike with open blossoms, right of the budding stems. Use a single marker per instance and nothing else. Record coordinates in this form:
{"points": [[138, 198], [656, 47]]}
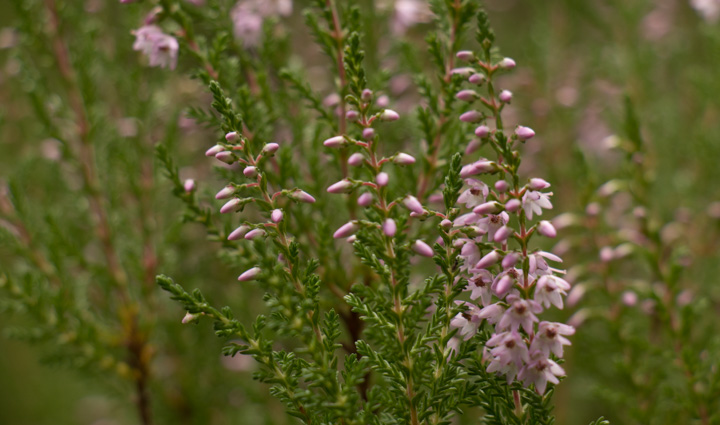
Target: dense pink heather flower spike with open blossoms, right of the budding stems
{"points": [[511, 282]]}
